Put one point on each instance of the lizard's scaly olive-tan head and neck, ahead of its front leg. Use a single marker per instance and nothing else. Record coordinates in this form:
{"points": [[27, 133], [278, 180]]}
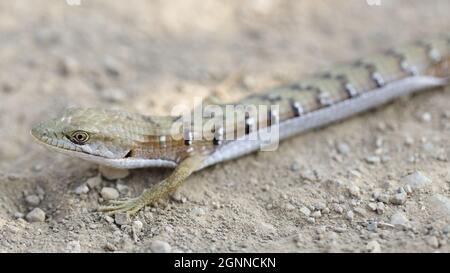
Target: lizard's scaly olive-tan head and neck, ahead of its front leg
{"points": [[106, 137]]}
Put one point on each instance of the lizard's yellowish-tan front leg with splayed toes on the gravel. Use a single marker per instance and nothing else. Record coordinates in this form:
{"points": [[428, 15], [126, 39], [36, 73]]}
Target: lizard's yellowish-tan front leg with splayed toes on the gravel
{"points": [[160, 190]]}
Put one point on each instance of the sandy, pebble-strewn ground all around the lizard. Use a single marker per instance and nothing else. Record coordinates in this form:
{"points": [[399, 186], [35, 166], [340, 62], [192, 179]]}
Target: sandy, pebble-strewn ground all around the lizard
{"points": [[342, 188]]}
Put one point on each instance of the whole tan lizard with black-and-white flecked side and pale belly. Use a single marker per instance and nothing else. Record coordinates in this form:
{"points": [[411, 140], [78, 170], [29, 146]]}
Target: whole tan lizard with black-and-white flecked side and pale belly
{"points": [[128, 140]]}
